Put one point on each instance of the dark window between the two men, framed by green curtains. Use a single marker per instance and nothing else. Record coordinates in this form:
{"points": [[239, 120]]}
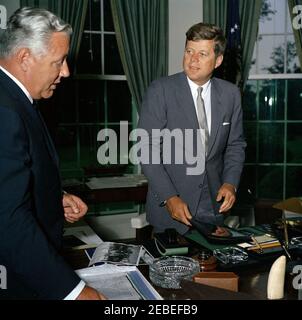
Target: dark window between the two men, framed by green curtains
{"points": [[98, 98]]}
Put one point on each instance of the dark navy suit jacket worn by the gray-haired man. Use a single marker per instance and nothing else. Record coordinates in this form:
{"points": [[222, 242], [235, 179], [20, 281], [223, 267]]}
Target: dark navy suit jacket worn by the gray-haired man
{"points": [[31, 212]]}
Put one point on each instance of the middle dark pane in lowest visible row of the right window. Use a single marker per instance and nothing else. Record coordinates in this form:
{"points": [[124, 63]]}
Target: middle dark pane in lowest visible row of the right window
{"points": [[270, 182]]}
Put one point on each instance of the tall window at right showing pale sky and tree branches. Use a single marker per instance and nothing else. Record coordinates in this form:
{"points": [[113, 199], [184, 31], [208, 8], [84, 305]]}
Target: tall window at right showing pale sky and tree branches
{"points": [[272, 104]]}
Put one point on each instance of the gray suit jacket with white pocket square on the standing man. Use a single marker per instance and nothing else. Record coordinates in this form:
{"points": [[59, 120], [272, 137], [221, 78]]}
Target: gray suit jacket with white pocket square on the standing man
{"points": [[168, 103]]}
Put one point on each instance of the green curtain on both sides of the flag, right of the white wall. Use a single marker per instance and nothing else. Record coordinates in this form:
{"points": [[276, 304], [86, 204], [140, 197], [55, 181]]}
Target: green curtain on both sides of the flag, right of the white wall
{"points": [[215, 11]]}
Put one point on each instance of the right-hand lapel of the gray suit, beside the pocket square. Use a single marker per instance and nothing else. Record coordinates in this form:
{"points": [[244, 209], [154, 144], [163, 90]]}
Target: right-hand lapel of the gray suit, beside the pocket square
{"points": [[216, 111]]}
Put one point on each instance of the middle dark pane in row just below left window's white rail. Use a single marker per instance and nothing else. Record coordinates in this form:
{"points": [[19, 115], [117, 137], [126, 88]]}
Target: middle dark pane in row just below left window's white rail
{"points": [[91, 101]]}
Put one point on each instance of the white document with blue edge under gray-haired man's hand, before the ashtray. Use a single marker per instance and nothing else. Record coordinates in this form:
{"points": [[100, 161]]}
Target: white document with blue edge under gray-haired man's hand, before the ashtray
{"points": [[119, 282]]}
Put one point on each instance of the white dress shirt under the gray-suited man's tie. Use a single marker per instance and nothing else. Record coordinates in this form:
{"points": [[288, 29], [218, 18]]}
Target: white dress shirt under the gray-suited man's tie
{"points": [[206, 96]]}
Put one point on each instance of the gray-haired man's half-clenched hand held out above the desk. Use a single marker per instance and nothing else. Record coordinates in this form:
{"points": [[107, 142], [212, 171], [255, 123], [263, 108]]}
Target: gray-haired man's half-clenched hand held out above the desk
{"points": [[74, 208]]}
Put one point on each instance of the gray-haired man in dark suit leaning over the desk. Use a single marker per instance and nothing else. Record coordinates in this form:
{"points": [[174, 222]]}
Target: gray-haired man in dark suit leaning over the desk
{"points": [[33, 51]]}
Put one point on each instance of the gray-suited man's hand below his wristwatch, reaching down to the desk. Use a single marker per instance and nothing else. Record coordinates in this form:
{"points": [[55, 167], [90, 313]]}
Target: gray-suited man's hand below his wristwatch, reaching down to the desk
{"points": [[179, 210]]}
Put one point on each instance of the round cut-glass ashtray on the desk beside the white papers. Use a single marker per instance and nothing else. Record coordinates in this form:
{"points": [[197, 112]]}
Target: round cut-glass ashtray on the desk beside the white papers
{"points": [[167, 272]]}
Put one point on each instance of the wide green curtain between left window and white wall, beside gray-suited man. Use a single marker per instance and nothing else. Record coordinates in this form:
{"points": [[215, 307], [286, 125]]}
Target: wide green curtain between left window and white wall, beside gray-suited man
{"points": [[141, 28]]}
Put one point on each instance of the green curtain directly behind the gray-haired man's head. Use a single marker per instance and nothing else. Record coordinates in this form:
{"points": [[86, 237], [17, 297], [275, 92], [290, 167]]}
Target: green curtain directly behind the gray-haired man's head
{"points": [[71, 11]]}
